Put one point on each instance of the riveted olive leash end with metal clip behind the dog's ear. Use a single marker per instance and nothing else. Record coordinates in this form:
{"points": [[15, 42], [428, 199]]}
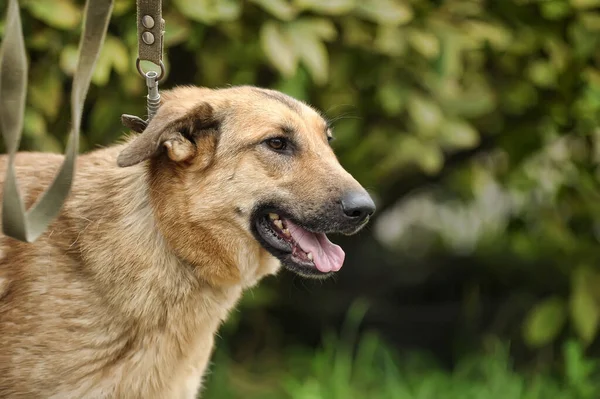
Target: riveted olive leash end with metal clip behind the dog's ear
{"points": [[150, 29]]}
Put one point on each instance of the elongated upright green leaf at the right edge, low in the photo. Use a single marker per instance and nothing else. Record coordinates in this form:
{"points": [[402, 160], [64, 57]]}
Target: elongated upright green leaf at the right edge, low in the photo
{"points": [[584, 309]]}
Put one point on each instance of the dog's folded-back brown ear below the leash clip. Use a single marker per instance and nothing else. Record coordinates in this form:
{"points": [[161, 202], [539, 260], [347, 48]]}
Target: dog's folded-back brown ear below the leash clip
{"points": [[173, 134]]}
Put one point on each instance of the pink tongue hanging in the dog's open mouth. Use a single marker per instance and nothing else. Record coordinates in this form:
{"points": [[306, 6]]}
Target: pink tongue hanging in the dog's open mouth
{"points": [[327, 256]]}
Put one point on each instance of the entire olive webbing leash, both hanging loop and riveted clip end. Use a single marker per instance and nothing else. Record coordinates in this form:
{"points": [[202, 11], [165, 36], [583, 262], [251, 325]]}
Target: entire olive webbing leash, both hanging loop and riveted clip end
{"points": [[28, 225]]}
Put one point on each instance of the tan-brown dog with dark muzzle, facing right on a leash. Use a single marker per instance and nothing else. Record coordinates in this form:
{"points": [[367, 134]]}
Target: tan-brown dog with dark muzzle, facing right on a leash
{"points": [[122, 296]]}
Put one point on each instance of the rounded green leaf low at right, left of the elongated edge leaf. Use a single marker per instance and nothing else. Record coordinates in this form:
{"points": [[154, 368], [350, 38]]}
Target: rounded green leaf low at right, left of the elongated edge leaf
{"points": [[544, 322]]}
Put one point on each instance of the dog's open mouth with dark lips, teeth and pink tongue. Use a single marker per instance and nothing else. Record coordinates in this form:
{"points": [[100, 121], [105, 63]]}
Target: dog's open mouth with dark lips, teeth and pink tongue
{"points": [[300, 250]]}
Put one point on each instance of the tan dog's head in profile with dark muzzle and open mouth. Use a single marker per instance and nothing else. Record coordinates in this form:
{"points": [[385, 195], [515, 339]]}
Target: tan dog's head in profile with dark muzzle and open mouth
{"points": [[248, 166]]}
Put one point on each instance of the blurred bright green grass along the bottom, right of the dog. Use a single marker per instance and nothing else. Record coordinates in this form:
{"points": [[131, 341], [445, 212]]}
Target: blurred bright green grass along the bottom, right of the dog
{"points": [[370, 370]]}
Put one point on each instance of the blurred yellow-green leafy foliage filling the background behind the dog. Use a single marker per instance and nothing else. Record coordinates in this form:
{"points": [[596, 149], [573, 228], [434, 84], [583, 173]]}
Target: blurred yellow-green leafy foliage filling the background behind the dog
{"points": [[475, 124]]}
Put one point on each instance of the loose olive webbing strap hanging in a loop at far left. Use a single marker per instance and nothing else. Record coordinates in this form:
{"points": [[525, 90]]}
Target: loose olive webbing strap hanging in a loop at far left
{"points": [[16, 221]]}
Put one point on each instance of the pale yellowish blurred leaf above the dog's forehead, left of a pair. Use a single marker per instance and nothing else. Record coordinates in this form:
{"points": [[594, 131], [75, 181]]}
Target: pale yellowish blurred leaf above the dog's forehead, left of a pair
{"points": [[278, 48]]}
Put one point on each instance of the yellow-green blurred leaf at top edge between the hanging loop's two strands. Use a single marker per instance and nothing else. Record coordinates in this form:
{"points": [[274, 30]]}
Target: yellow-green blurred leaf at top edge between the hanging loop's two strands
{"points": [[60, 14]]}
